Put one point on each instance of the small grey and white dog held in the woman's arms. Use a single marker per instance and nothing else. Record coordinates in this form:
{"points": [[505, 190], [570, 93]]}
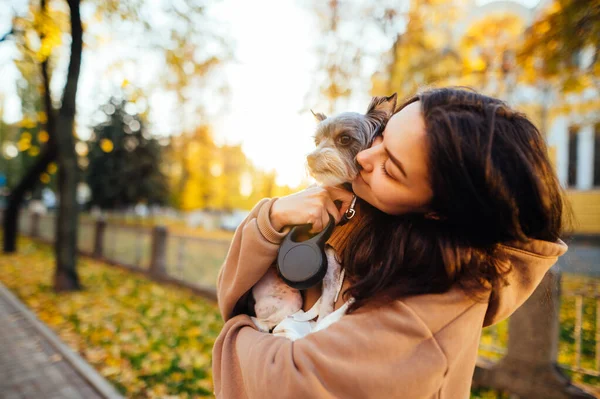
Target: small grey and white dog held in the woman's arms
{"points": [[333, 162]]}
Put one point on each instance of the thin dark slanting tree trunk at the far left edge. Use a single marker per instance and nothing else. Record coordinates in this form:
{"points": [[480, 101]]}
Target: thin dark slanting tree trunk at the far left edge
{"points": [[31, 178]]}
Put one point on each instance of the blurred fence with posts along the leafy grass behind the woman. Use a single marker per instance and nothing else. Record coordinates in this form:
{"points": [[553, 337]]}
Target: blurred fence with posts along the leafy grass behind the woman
{"points": [[509, 348]]}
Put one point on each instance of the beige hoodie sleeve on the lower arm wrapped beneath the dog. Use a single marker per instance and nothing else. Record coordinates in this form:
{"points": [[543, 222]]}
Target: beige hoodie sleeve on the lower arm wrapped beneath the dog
{"points": [[373, 353]]}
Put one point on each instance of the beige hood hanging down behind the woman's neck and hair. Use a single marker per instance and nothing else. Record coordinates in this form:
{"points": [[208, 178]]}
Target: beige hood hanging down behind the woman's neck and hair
{"points": [[529, 261]]}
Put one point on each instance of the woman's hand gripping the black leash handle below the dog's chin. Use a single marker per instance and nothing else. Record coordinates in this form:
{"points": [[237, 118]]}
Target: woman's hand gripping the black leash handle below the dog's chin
{"points": [[310, 206]]}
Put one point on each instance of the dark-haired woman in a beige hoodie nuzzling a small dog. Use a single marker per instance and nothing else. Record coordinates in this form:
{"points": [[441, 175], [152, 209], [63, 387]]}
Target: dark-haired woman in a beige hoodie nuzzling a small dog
{"points": [[464, 218]]}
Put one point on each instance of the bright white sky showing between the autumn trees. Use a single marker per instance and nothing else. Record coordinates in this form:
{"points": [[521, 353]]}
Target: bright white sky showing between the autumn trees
{"points": [[274, 61]]}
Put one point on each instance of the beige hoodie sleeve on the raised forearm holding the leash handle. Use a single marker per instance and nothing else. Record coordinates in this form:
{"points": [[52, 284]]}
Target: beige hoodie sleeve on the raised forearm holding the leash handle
{"points": [[252, 251]]}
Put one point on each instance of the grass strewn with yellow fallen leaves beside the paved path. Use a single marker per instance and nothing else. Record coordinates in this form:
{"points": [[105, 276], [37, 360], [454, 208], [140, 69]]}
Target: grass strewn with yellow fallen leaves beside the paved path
{"points": [[154, 341]]}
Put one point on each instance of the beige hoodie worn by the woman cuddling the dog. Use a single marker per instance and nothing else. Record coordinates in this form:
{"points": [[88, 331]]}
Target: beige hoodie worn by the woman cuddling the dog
{"points": [[419, 347]]}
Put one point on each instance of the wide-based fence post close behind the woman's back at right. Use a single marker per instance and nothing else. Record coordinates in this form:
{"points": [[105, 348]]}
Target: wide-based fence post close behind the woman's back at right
{"points": [[529, 368]]}
